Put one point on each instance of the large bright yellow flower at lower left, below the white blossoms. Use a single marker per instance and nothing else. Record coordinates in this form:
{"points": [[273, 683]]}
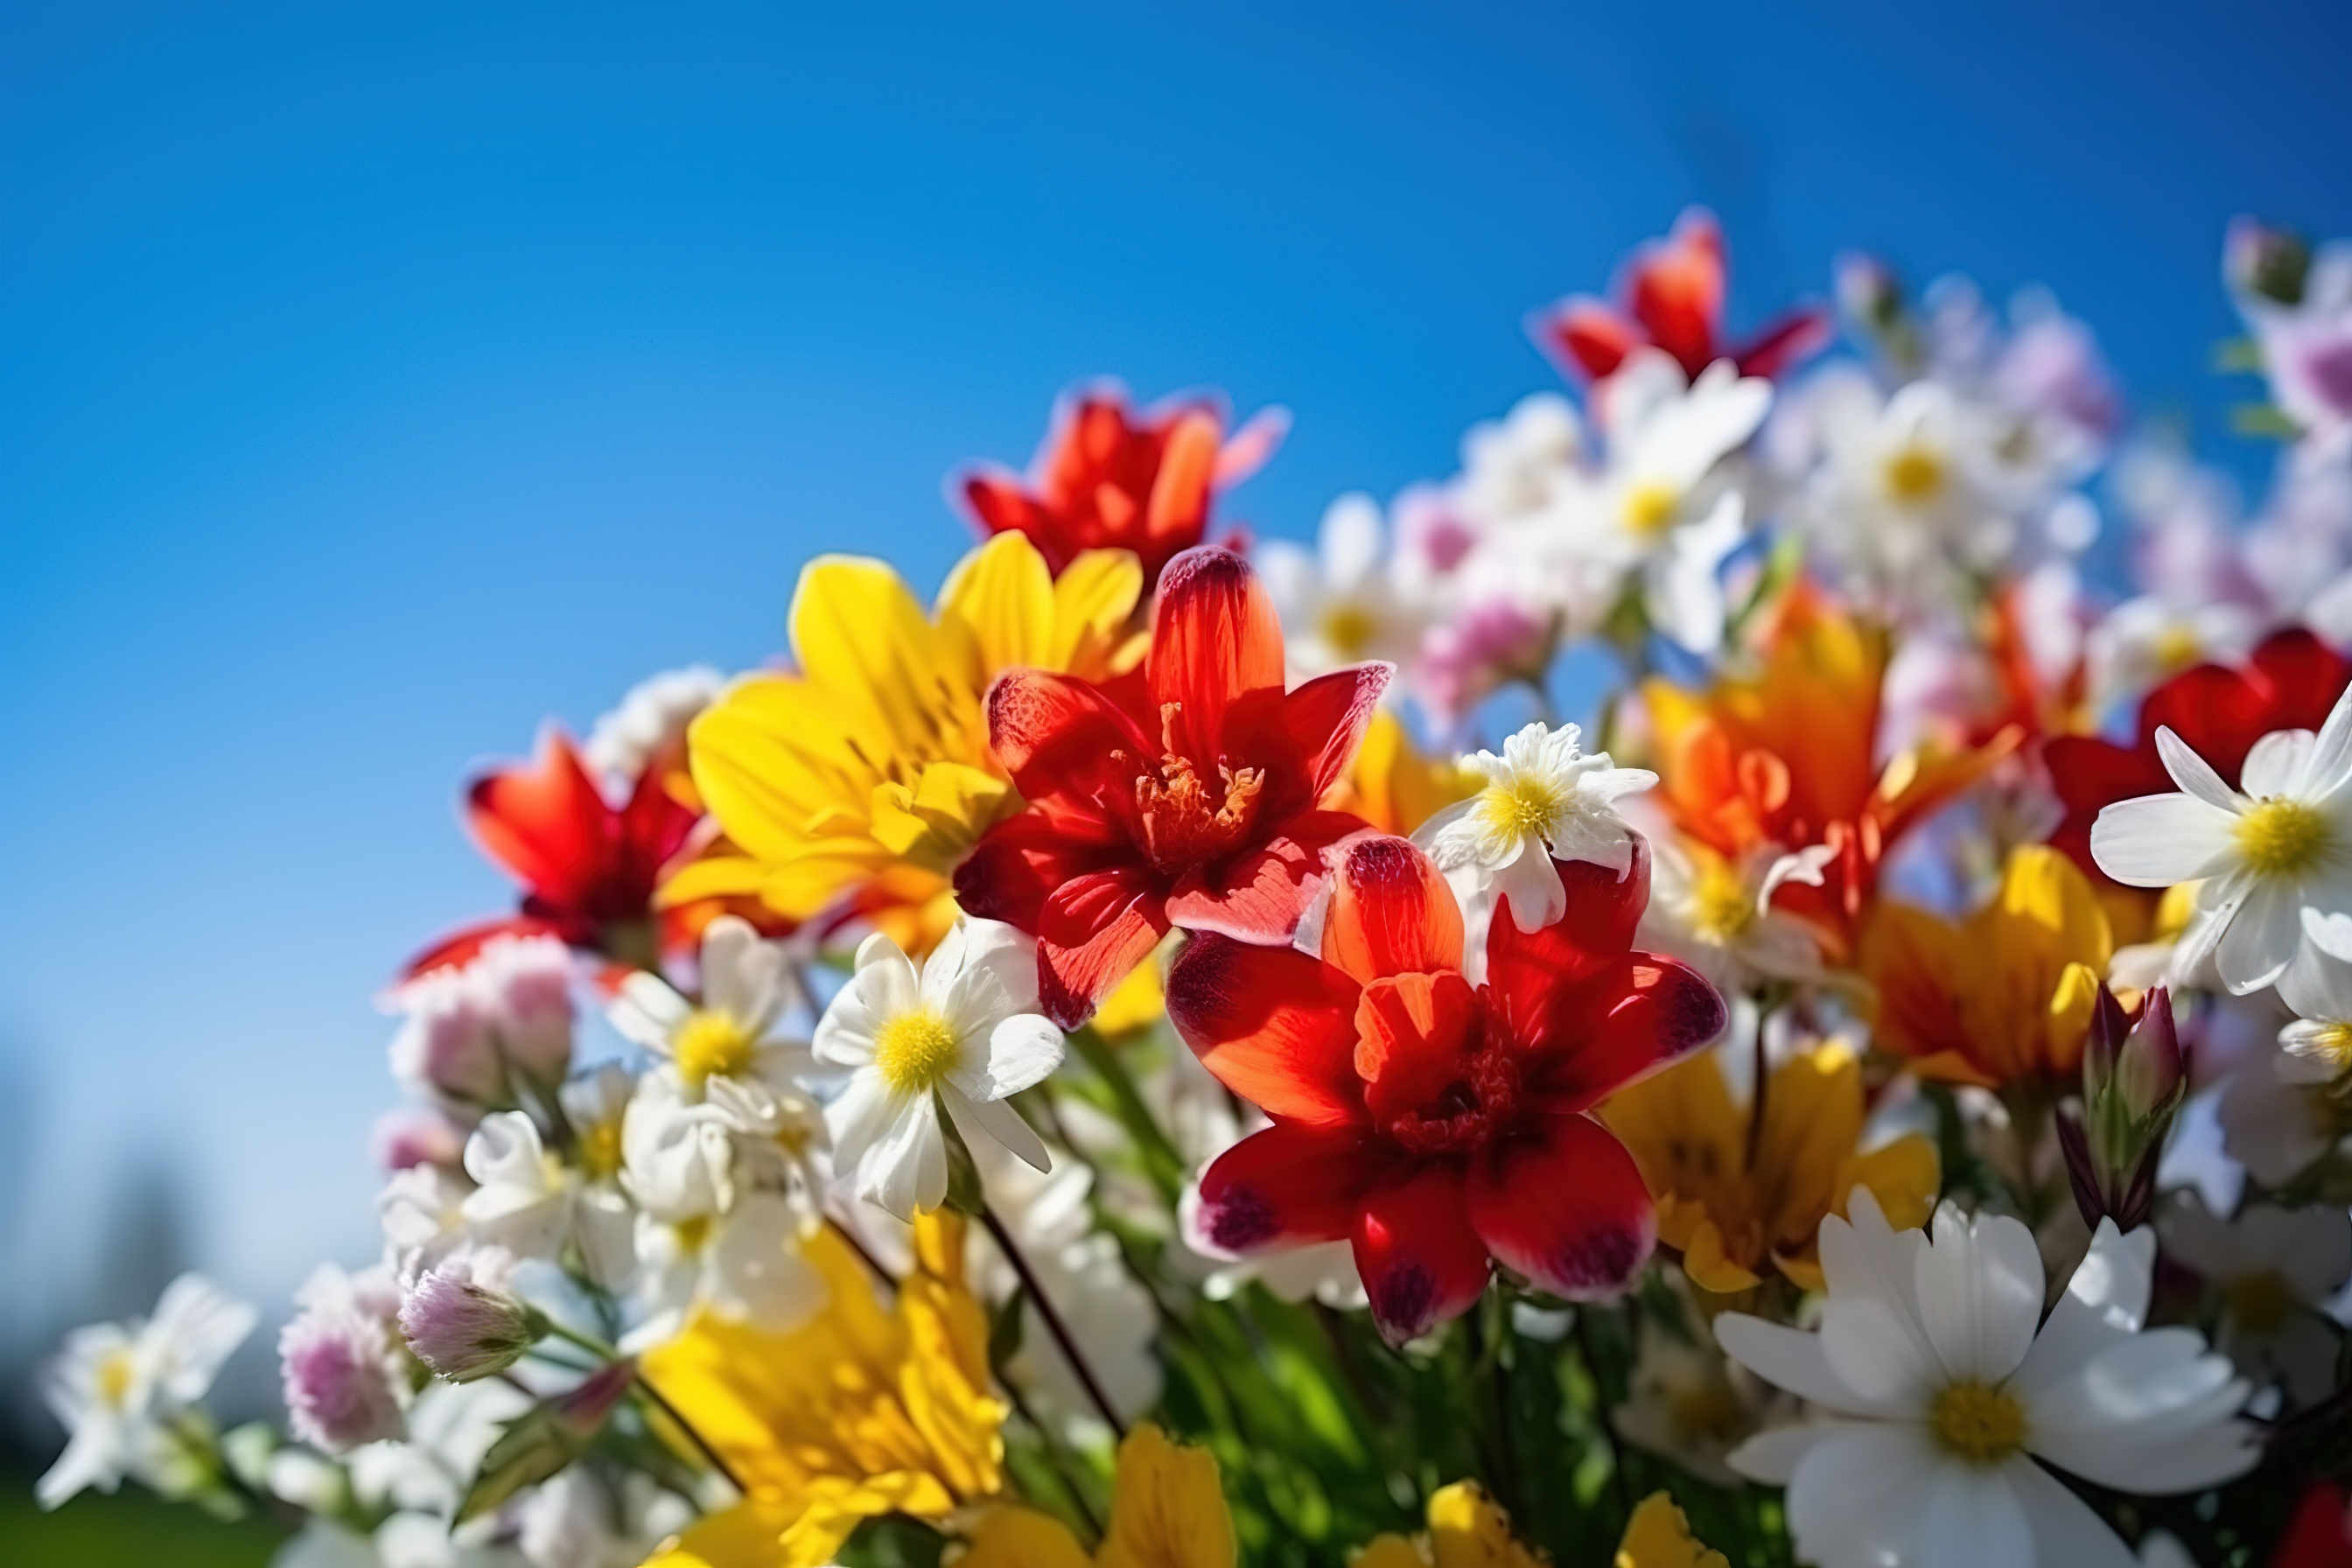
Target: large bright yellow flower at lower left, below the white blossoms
{"points": [[862, 1414]]}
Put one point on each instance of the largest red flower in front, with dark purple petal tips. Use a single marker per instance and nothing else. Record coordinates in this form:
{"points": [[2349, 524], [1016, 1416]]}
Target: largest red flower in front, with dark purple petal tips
{"points": [[1436, 1125]]}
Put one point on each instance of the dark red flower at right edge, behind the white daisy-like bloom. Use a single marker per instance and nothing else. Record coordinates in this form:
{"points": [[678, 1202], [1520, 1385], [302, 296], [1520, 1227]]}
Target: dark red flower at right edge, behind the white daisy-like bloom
{"points": [[2290, 683]]}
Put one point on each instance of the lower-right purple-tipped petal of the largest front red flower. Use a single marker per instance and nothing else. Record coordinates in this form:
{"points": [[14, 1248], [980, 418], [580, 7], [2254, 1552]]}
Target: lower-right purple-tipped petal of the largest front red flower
{"points": [[1568, 1209]]}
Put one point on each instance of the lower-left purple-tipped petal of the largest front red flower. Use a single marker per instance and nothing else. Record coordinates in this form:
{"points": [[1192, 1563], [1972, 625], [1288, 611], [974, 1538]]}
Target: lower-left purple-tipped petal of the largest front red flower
{"points": [[1285, 1186]]}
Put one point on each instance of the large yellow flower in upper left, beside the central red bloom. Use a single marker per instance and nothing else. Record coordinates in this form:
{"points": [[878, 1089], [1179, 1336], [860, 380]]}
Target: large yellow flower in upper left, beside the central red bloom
{"points": [[867, 775]]}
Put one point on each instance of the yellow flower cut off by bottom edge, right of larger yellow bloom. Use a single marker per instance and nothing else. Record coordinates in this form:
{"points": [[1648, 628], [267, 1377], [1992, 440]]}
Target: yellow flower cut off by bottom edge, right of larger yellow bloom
{"points": [[1165, 1513]]}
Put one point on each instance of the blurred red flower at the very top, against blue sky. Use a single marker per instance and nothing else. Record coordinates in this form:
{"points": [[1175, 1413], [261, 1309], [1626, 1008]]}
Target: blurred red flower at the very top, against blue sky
{"points": [[1673, 297]]}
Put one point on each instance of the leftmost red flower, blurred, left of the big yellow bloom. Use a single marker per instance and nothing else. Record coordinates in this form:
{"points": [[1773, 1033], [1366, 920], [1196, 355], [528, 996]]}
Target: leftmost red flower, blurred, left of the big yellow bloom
{"points": [[587, 869]]}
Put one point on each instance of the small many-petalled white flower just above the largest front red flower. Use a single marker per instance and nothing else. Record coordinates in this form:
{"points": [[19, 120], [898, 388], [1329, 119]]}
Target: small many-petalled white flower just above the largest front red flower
{"points": [[1542, 800]]}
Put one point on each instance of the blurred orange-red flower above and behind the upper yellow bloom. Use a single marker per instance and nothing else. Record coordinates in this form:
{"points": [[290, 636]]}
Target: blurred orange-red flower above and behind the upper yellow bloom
{"points": [[1114, 481]]}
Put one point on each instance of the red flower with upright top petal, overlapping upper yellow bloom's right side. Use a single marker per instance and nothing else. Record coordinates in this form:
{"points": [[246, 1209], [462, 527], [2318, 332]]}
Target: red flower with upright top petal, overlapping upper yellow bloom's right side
{"points": [[1191, 796]]}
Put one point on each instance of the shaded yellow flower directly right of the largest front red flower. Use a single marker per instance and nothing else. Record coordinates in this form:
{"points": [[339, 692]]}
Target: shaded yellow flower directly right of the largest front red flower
{"points": [[1735, 1217]]}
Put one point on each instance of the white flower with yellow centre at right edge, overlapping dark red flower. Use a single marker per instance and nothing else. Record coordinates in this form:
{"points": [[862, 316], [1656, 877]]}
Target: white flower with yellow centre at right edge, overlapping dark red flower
{"points": [[2261, 852]]}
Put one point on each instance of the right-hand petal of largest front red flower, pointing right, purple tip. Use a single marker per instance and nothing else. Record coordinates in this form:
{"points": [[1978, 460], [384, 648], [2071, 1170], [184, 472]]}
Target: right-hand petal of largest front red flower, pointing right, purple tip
{"points": [[1631, 1019]]}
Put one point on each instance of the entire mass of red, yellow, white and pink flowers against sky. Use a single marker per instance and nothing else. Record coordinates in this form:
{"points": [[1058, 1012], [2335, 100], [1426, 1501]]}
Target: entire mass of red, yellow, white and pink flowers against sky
{"points": [[1175, 1054]]}
